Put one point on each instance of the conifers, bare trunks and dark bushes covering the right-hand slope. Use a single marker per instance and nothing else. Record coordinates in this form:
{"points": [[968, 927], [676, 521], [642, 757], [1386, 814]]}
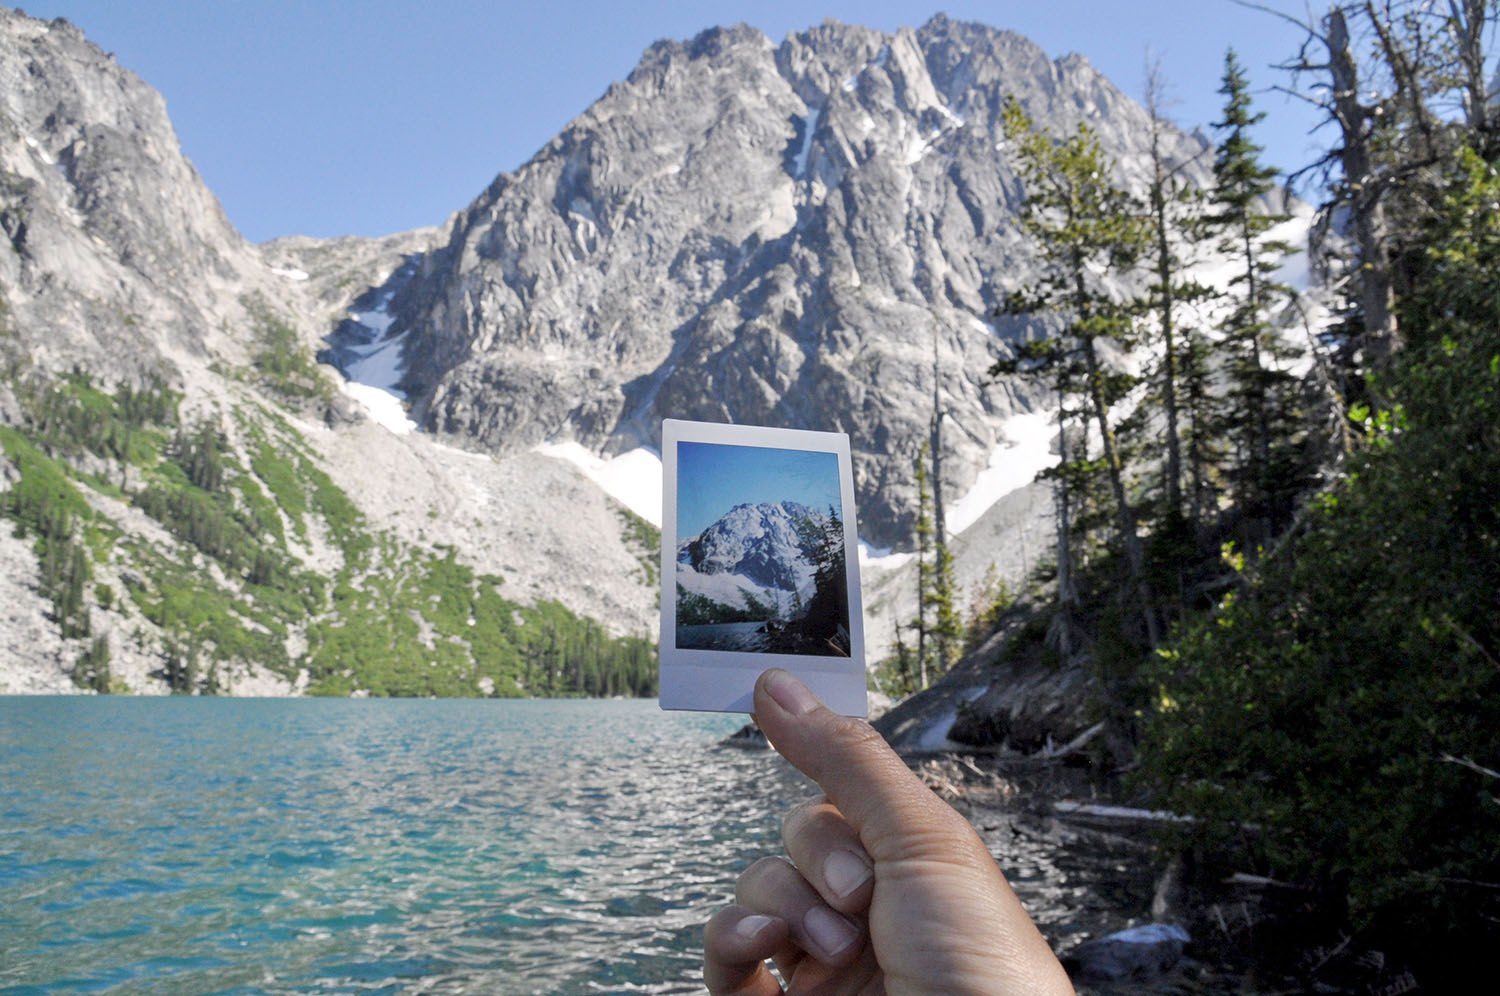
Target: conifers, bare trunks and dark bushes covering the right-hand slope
{"points": [[1279, 545]]}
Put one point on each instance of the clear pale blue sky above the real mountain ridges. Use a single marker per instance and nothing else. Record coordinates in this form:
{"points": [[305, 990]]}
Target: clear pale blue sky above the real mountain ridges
{"points": [[374, 116]]}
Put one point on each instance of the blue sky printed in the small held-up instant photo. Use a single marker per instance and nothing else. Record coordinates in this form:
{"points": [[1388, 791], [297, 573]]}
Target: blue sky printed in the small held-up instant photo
{"points": [[713, 478]]}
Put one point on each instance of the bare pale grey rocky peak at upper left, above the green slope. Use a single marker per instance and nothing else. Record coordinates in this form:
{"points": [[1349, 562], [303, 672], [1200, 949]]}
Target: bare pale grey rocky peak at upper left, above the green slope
{"points": [[113, 245]]}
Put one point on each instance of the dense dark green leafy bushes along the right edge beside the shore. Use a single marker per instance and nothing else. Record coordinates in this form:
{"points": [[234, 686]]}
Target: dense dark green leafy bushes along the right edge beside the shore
{"points": [[1337, 721]]}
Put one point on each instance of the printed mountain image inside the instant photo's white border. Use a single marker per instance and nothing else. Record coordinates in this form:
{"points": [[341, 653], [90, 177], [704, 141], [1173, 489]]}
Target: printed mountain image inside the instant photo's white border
{"points": [[760, 551]]}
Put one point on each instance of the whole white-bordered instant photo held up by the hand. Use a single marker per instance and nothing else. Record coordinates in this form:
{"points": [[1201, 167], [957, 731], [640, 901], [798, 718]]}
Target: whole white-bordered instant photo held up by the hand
{"points": [[760, 566]]}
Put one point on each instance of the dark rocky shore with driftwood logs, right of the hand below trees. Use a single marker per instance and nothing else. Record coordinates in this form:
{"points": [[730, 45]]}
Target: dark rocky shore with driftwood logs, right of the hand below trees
{"points": [[1013, 745]]}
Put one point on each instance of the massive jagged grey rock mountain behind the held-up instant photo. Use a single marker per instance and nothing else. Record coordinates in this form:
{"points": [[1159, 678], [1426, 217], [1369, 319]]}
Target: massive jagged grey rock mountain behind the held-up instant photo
{"points": [[790, 235]]}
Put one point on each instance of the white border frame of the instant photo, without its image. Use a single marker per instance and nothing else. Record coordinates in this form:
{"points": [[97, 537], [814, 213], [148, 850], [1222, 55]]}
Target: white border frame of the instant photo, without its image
{"points": [[722, 682]]}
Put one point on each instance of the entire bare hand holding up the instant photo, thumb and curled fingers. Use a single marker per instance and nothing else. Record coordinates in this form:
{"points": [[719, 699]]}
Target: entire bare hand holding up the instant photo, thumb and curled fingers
{"points": [[887, 890]]}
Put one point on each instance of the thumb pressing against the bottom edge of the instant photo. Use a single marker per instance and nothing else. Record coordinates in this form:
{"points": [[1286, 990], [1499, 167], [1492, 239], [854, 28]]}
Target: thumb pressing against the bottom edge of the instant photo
{"points": [[889, 806]]}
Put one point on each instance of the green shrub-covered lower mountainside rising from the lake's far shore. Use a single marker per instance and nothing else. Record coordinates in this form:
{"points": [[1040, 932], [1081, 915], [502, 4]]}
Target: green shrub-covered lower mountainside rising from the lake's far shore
{"points": [[260, 559]]}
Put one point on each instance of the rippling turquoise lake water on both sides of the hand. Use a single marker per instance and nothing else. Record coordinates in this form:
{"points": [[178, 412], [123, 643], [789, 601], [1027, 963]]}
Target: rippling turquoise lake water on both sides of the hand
{"points": [[239, 845]]}
